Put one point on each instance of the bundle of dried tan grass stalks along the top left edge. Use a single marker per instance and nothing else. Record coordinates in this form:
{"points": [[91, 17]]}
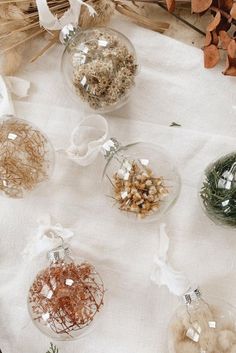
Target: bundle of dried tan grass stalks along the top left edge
{"points": [[19, 23]]}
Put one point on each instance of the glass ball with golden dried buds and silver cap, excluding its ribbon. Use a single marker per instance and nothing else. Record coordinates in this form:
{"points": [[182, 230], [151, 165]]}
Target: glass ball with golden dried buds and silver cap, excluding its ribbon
{"points": [[140, 179]]}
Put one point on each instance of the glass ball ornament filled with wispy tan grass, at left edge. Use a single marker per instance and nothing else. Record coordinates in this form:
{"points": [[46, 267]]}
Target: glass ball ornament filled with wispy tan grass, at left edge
{"points": [[27, 157]]}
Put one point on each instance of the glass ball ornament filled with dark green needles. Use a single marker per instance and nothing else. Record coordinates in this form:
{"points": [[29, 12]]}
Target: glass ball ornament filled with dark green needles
{"points": [[218, 190]]}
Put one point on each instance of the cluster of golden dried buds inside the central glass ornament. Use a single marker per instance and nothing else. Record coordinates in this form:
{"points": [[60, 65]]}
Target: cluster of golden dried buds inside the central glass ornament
{"points": [[139, 192]]}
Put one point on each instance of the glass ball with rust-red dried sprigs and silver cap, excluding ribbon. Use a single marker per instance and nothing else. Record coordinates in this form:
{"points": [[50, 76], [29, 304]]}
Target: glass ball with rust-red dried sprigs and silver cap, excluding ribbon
{"points": [[65, 297]]}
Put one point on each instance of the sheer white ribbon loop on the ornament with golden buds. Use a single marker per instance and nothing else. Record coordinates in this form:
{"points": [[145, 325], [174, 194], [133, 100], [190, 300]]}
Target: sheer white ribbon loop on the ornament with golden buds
{"points": [[87, 139]]}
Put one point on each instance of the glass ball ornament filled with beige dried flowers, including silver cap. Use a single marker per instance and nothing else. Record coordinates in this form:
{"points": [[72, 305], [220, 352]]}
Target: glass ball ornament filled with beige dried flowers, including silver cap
{"points": [[99, 66]]}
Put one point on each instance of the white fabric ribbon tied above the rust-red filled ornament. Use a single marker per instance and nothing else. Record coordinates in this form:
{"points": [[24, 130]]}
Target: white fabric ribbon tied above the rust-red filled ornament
{"points": [[47, 237]]}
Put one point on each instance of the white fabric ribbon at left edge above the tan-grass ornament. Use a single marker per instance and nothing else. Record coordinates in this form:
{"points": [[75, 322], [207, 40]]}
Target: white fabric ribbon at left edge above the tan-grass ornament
{"points": [[8, 86]]}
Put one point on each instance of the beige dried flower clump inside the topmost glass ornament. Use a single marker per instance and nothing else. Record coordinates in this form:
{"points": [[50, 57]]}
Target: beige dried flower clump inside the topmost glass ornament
{"points": [[104, 68]]}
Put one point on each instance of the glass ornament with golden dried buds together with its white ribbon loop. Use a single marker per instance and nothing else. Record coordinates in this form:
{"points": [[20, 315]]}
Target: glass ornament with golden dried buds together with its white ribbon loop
{"points": [[140, 179]]}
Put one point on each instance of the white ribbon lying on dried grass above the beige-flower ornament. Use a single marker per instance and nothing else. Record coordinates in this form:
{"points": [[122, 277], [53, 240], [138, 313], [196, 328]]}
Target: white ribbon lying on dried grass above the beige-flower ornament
{"points": [[52, 22]]}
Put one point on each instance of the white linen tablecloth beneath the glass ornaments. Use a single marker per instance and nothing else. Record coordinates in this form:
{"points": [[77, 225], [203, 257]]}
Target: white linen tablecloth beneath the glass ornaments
{"points": [[172, 86]]}
